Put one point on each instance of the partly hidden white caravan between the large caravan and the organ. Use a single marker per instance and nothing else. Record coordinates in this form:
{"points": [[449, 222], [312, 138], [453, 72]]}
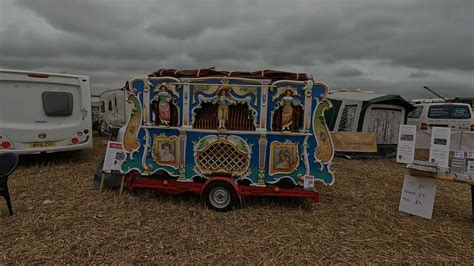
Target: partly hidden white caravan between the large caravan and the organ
{"points": [[113, 111]]}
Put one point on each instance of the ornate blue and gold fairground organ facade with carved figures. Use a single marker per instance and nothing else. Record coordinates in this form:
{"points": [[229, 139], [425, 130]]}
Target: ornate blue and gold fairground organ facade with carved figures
{"points": [[259, 131]]}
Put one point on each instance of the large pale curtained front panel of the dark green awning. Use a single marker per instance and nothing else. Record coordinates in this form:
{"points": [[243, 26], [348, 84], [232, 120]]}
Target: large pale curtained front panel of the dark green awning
{"points": [[385, 120]]}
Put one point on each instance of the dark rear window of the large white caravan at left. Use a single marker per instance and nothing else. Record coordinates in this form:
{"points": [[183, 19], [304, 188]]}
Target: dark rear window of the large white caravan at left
{"points": [[57, 104]]}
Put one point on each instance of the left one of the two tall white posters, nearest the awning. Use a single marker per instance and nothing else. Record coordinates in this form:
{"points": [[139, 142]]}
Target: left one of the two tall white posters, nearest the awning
{"points": [[406, 144]]}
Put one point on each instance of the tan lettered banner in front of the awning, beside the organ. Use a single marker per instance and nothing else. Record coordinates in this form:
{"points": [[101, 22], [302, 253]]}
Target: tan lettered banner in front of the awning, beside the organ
{"points": [[355, 141]]}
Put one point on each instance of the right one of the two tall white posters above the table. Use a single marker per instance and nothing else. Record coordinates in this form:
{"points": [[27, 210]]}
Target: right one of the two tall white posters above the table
{"points": [[439, 148]]}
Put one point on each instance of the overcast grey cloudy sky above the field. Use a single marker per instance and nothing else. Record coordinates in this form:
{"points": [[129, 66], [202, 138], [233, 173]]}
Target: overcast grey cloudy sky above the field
{"points": [[393, 46]]}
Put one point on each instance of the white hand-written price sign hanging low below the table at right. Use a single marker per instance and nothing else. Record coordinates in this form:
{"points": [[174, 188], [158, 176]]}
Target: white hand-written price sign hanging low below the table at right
{"points": [[418, 195]]}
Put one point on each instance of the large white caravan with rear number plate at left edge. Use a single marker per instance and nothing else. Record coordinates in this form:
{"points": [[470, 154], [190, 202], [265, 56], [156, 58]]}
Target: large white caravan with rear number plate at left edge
{"points": [[44, 112]]}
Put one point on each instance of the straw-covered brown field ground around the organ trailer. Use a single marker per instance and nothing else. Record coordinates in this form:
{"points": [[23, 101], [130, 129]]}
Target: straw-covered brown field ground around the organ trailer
{"points": [[60, 218]]}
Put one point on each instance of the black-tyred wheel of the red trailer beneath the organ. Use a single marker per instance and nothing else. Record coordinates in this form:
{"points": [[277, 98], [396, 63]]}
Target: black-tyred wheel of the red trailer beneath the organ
{"points": [[220, 196]]}
